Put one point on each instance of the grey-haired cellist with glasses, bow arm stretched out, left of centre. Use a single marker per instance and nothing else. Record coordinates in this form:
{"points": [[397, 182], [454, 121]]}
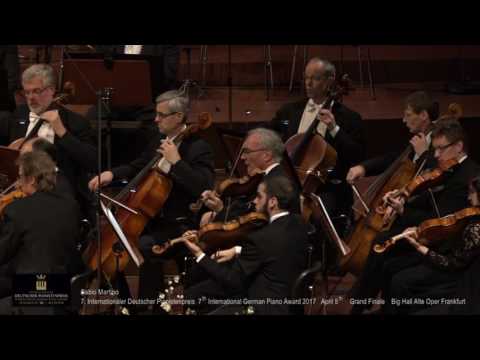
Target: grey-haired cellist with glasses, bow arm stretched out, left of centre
{"points": [[189, 166]]}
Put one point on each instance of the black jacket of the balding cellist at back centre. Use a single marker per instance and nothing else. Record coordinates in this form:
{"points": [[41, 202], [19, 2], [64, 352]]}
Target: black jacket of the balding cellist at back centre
{"points": [[349, 142]]}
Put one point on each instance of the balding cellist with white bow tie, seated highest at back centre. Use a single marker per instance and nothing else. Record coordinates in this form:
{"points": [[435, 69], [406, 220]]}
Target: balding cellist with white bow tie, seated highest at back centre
{"points": [[341, 127]]}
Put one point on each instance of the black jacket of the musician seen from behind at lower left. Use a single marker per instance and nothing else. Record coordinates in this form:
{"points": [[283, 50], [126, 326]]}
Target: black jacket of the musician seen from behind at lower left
{"points": [[39, 234]]}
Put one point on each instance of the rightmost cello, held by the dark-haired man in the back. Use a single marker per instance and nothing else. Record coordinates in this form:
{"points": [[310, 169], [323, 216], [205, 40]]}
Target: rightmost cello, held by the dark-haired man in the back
{"points": [[400, 173]]}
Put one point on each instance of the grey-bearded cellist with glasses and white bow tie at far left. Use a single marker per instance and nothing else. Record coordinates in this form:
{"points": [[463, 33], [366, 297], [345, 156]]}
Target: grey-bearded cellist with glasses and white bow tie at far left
{"points": [[69, 132]]}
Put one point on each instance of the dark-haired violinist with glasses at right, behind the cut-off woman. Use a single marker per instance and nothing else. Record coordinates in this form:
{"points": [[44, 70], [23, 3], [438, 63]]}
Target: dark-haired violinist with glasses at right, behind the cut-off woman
{"points": [[451, 195]]}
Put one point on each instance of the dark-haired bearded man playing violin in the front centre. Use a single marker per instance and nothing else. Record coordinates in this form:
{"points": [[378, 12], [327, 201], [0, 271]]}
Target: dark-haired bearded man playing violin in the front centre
{"points": [[271, 258]]}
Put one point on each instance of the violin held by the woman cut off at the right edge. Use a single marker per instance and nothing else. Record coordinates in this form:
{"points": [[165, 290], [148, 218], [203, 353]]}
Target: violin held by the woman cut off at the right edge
{"points": [[433, 230]]}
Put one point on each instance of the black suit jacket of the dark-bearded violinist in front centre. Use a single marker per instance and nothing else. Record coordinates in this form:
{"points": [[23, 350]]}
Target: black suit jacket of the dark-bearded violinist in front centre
{"points": [[271, 260]]}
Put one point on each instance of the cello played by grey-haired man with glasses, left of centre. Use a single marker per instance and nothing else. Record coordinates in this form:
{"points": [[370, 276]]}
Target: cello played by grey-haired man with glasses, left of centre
{"points": [[146, 194]]}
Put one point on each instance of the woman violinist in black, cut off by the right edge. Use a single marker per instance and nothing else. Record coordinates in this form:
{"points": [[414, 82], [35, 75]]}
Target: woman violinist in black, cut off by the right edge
{"points": [[437, 275]]}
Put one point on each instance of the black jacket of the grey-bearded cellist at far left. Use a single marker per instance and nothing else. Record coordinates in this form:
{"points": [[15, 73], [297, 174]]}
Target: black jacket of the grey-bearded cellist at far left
{"points": [[76, 154]]}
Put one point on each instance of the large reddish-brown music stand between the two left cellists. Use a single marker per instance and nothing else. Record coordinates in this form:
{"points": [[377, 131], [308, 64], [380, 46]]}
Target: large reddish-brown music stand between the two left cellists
{"points": [[131, 81]]}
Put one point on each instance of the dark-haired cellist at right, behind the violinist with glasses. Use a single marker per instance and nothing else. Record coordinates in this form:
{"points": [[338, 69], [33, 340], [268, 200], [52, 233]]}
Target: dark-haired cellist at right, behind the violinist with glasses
{"points": [[419, 113]]}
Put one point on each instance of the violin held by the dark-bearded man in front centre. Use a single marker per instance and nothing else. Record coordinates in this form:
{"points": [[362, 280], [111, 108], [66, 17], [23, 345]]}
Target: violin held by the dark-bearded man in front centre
{"points": [[219, 235]]}
